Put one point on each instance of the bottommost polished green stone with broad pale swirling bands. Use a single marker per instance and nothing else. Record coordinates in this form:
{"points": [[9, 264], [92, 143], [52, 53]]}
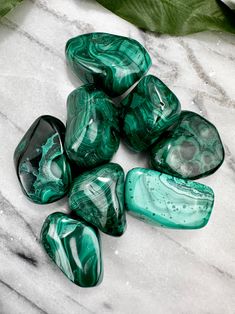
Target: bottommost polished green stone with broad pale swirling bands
{"points": [[75, 248]]}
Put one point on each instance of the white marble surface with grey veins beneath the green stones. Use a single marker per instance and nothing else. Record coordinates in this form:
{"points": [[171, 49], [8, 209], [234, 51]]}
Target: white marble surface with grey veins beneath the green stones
{"points": [[148, 270]]}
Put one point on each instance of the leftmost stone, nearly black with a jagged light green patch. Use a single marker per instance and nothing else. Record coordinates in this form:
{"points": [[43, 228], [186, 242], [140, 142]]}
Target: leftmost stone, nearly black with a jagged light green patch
{"points": [[41, 164]]}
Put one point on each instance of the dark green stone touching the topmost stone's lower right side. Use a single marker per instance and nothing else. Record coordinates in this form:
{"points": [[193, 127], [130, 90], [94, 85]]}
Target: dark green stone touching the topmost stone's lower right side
{"points": [[148, 110]]}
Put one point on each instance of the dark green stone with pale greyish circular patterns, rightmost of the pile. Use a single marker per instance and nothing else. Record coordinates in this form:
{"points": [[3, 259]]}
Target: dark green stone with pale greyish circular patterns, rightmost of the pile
{"points": [[192, 149]]}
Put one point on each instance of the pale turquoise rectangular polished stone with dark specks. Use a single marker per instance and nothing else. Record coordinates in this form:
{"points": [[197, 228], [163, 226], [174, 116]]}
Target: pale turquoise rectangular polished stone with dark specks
{"points": [[167, 201]]}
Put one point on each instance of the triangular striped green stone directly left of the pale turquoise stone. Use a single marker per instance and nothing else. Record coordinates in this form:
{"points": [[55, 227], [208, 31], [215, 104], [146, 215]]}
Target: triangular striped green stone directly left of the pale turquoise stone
{"points": [[98, 197]]}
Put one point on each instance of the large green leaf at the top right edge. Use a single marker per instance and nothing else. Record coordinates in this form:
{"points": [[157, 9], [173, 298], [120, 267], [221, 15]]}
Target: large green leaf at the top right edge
{"points": [[176, 17]]}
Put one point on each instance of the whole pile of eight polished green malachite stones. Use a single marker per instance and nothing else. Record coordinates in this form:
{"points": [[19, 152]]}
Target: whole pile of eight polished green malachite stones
{"points": [[52, 160]]}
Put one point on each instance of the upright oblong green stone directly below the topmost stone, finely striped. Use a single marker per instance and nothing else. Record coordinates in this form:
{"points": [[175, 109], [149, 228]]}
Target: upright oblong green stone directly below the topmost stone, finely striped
{"points": [[92, 131]]}
